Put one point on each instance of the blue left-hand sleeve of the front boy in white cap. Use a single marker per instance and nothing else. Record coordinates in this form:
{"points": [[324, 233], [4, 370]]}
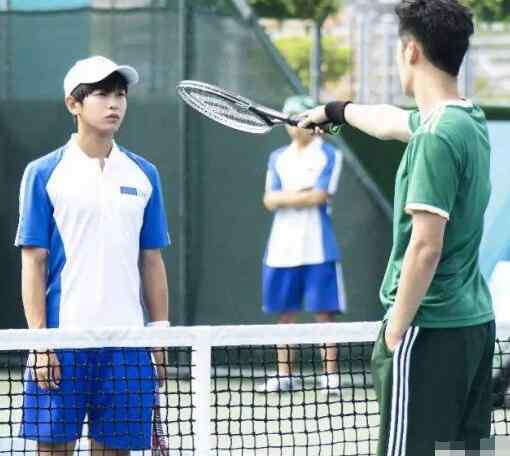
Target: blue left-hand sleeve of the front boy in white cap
{"points": [[35, 210]]}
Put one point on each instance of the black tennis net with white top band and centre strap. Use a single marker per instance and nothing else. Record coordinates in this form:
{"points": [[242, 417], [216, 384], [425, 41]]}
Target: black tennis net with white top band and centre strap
{"points": [[217, 398]]}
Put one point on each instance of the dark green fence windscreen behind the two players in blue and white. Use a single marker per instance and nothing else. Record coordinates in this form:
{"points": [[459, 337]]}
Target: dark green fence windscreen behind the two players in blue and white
{"points": [[213, 177]]}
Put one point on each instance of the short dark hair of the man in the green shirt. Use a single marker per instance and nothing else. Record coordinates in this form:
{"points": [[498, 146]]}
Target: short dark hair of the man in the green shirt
{"points": [[443, 28]]}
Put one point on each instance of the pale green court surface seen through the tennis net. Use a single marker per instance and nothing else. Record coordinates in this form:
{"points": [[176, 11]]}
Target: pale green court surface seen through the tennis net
{"points": [[244, 422]]}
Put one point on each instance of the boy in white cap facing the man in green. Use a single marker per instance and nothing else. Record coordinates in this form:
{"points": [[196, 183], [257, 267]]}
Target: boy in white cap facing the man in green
{"points": [[92, 223]]}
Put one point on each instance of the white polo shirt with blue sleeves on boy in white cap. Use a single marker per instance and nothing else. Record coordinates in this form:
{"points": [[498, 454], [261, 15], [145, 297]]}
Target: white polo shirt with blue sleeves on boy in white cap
{"points": [[93, 222]]}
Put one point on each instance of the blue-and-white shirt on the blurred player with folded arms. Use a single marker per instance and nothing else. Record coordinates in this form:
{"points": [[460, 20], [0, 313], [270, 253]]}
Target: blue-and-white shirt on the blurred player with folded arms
{"points": [[303, 236]]}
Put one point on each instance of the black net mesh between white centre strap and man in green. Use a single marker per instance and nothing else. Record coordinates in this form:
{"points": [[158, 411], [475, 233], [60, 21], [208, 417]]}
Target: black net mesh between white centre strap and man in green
{"points": [[260, 410]]}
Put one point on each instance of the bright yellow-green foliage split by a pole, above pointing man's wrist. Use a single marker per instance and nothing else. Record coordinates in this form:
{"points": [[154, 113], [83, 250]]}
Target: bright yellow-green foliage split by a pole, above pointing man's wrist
{"points": [[296, 50]]}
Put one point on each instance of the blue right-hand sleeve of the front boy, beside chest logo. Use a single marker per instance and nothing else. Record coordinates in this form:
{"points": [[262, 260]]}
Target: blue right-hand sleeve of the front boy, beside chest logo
{"points": [[154, 233]]}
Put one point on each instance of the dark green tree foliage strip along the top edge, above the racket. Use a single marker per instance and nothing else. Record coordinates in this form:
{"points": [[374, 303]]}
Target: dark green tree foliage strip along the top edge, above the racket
{"points": [[317, 10]]}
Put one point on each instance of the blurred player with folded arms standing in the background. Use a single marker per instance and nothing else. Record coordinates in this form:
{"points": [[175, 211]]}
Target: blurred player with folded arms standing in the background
{"points": [[302, 261]]}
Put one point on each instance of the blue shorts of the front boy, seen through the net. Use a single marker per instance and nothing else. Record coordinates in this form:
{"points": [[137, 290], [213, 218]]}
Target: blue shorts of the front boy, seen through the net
{"points": [[114, 387]]}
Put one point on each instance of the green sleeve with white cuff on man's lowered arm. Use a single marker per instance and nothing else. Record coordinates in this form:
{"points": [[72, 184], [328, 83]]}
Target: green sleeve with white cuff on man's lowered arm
{"points": [[434, 175]]}
